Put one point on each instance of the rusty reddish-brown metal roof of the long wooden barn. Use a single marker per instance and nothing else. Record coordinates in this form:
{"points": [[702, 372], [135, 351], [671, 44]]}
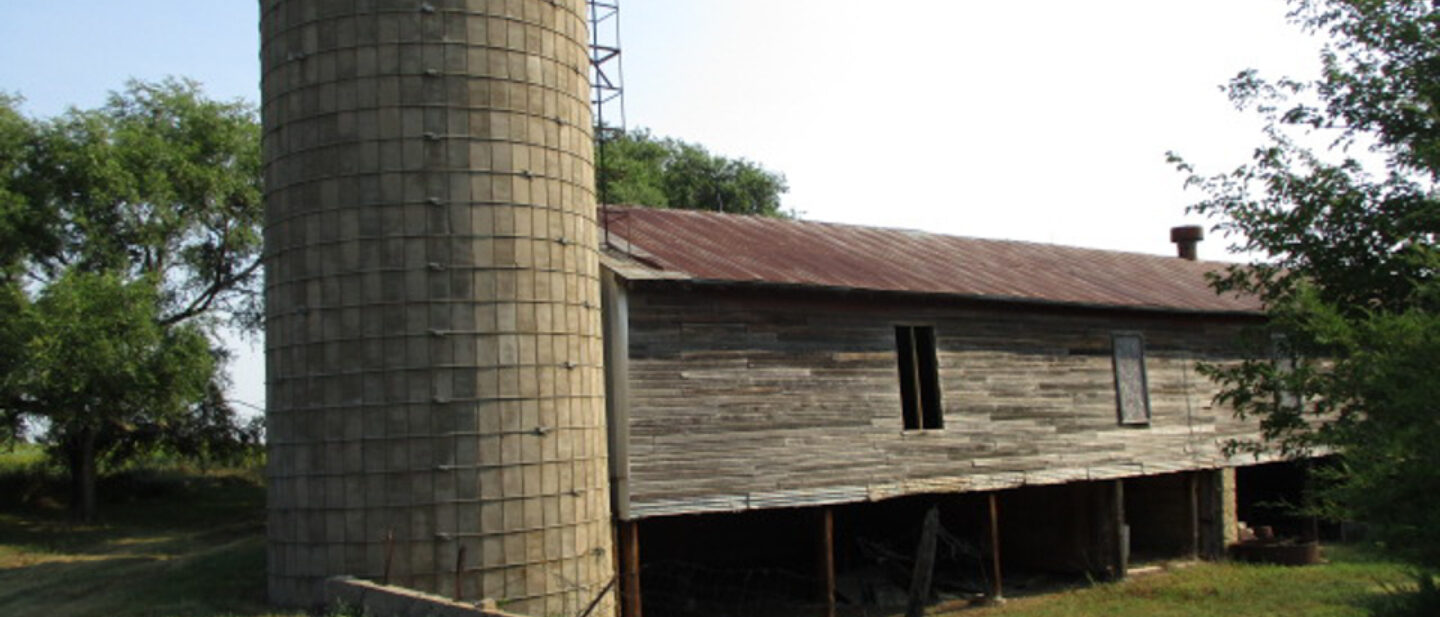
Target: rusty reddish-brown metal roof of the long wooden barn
{"points": [[663, 244]]}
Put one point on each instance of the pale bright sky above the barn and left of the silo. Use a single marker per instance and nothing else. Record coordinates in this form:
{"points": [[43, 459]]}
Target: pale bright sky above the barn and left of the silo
{"points": [[1043, 120]]}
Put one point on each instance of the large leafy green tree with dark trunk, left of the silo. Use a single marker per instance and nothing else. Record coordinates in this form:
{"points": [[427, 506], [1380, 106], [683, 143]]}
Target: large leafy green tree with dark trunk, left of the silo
{"points": [[129, 234]]}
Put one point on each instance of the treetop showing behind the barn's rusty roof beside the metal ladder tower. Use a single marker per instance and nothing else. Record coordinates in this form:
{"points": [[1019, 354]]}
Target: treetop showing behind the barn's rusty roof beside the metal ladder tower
{"points": [[640, 169]]}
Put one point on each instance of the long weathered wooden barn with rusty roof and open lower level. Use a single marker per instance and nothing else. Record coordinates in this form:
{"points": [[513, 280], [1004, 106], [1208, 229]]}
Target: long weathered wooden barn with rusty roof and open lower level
{"points": [[784, 393]]}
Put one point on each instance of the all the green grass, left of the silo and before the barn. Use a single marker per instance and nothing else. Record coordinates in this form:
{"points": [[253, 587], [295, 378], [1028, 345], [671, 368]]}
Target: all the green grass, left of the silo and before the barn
{"points": [[179, 543]]}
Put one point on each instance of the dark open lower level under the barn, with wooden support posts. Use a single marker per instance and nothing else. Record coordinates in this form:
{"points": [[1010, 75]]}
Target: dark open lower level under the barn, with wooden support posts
{"points": [[955, 549]]}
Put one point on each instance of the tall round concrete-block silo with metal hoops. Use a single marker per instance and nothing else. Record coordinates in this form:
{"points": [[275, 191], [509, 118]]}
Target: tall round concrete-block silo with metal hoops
{"points": [[434, 357]]}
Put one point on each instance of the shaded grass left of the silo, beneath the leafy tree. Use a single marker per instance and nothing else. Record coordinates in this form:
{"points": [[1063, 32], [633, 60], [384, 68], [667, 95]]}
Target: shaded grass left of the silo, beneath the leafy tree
{"points": [[171, 543]]}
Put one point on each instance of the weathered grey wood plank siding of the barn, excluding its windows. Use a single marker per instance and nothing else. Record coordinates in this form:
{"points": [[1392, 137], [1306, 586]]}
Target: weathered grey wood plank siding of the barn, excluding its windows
{"points": [[752, 399]]}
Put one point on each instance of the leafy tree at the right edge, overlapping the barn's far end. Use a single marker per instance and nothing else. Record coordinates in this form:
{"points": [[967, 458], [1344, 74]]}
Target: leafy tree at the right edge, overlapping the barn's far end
{"points": [[1350, 355]]}
